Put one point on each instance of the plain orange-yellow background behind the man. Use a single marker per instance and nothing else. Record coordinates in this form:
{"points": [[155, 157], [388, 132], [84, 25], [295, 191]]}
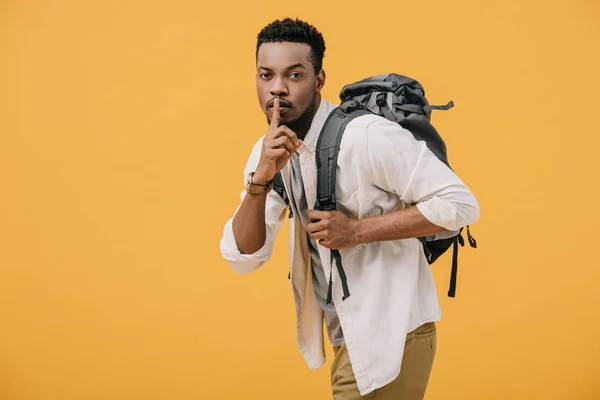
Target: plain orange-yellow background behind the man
{"points": [[124, 129]]}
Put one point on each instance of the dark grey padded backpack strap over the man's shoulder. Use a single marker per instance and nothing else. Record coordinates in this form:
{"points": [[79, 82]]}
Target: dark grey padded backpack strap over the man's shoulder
{"points": [[328, 148]]}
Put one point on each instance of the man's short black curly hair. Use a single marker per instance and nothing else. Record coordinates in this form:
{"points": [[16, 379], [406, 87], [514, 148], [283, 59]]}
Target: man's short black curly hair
{"points": [[297, 31]]}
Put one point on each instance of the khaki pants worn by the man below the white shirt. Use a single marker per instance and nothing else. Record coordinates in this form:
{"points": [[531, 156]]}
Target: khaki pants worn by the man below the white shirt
{"points": [[419, 352]]}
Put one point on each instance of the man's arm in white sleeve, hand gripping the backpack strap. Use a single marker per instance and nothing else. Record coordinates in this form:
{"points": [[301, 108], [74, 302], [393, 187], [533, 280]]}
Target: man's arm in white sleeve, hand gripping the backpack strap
{"points": [[406, 167]]}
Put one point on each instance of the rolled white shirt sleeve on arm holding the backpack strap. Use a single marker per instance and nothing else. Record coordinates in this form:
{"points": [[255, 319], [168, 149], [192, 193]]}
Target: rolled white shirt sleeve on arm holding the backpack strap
{"points": [[407, 167]]}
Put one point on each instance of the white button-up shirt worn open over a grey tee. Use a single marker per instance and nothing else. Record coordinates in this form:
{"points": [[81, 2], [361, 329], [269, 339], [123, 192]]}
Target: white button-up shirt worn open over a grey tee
{"points": [[381, 168]]}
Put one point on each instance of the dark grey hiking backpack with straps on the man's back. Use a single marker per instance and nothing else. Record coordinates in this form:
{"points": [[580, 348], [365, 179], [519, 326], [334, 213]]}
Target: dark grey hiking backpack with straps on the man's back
{"points": [[399, 99]]}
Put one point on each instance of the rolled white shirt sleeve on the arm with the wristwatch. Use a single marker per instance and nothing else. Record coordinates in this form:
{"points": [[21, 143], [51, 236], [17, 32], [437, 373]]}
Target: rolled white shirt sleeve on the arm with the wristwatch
{"points": [[275, 209]]}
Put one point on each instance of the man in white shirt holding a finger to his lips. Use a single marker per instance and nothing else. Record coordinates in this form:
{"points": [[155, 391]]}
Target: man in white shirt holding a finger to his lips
{"points": [[390, 190]]}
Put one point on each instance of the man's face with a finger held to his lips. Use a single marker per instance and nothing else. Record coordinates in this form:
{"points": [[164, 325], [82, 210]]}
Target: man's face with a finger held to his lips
{"points": [[284, 70]]}
